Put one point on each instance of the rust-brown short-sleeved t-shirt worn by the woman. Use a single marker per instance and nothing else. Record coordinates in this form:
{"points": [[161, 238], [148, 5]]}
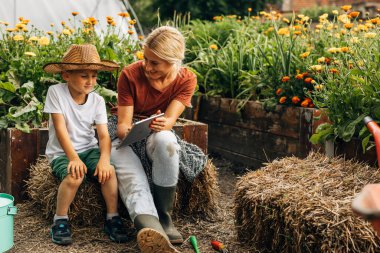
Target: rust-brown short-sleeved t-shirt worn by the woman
{"points": [[134, 90]]}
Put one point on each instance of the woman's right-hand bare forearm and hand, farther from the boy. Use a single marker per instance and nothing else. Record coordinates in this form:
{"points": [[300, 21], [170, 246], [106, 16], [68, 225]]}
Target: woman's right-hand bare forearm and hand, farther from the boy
{"points": [[172, 113]]}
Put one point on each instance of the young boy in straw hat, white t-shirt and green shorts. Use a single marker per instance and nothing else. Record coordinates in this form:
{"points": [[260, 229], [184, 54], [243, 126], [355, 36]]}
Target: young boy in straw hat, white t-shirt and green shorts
{"points": [[72, 148]]}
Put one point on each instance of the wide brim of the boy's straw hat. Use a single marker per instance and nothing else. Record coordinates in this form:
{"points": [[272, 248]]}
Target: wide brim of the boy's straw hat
{"points": [[58, 67]]}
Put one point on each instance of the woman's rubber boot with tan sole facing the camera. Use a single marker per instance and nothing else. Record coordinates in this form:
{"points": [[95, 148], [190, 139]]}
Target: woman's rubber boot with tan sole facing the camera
{"points": [[151, 237]]}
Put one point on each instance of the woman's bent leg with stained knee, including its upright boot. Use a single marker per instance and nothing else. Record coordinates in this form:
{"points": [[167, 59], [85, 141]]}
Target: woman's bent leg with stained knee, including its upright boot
{"points": [[163, 150]]}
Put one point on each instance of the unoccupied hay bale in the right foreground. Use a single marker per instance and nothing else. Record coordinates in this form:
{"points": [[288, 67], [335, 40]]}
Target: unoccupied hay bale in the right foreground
{"points": [[304, 205]]}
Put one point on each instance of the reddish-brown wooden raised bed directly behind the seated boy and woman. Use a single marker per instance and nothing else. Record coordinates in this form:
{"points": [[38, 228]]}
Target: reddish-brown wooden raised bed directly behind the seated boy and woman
{"points": [[19, 150]]}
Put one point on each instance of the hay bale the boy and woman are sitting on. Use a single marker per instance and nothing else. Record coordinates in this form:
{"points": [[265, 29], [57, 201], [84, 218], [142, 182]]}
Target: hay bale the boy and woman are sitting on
{"points": [[88, 208]]}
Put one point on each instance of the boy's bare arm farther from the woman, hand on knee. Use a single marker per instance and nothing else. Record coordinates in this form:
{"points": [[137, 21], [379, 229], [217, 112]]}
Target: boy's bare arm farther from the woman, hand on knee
{"points": [[76, 167]]}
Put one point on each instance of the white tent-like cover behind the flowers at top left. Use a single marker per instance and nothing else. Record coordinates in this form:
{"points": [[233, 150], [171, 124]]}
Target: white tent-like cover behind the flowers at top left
{"points": [[42, 13]]}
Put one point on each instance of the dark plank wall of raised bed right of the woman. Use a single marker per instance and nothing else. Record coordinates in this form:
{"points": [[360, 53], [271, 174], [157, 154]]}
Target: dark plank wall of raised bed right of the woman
{"points": [[253, 135]]}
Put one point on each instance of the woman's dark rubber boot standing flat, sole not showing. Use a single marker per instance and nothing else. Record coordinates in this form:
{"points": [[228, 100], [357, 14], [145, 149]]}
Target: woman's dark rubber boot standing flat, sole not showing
{"points": [[164, 201]]}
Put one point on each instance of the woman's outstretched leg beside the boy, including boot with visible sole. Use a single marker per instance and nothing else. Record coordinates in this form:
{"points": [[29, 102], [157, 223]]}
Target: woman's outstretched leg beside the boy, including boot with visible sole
{"points": [[136, 195]]}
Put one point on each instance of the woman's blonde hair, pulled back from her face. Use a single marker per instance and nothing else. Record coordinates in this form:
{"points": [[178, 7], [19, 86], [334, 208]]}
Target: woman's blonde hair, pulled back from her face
{"points": [[167, 43]]}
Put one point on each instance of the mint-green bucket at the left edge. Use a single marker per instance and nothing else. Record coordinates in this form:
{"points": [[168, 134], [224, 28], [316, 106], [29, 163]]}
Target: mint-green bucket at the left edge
{"points": [[7, 211]]}
